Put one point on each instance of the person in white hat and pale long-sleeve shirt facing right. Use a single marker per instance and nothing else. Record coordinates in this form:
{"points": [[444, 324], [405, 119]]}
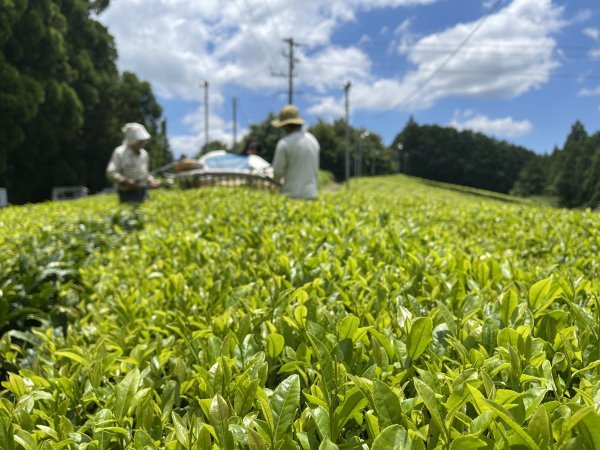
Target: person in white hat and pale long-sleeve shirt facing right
{"points": [[128, 166]]}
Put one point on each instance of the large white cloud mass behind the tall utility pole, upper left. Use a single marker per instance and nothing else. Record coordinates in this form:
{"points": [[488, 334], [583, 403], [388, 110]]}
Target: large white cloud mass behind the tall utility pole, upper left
{"points": [[176, 43]]}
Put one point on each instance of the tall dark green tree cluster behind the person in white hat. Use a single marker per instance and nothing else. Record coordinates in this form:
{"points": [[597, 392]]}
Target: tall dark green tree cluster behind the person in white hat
{"points": [[63, 100]]}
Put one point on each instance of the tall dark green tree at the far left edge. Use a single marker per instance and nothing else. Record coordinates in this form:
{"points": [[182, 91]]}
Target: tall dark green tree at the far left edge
{"points": [[44, 109]]}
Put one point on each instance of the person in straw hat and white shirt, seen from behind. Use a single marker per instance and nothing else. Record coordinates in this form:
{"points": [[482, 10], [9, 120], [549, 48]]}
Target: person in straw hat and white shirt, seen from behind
{"points": [[296, 160]]}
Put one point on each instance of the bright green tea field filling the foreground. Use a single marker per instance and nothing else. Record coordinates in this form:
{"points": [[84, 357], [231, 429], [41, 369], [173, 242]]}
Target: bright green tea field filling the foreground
{"points": [[399, 315]]}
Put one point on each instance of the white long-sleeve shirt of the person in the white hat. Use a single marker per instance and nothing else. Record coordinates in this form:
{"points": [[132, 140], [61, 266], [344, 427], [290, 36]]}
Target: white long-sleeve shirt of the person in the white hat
{"points": [[126, 164]]}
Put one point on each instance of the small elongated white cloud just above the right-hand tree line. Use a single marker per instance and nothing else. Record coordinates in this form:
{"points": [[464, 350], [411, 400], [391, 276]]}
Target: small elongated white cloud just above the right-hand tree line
{"points": [[505, 127]]}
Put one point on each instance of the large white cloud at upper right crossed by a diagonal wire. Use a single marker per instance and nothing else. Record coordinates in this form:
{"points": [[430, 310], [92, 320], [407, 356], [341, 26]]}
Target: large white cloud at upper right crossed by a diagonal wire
{"points": [[493, 63]]}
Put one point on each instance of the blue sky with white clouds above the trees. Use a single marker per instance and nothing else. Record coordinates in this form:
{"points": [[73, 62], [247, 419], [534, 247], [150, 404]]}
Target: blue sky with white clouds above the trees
{"points": [[518, 70]]}
